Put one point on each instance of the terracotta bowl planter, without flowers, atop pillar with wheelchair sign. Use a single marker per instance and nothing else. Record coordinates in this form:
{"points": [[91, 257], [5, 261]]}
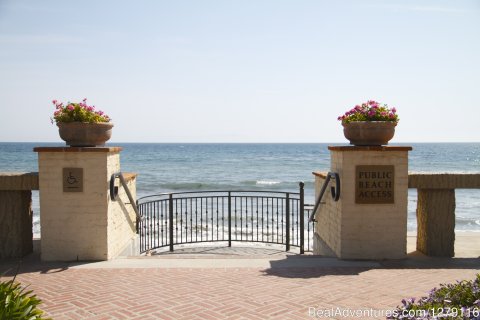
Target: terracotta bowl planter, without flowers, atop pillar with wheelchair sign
{"points": [[82, 134]]}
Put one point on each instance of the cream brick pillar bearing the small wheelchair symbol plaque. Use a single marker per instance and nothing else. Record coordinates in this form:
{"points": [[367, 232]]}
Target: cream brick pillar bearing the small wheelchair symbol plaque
{"points": [[78, 220]]}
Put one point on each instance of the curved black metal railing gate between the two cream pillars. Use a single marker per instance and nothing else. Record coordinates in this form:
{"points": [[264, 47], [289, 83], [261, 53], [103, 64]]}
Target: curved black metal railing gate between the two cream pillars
{"points": [[272, 217]]}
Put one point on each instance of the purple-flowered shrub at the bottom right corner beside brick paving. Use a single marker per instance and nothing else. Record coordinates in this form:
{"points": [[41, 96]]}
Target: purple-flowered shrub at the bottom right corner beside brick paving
{"points": [[460, 300]]}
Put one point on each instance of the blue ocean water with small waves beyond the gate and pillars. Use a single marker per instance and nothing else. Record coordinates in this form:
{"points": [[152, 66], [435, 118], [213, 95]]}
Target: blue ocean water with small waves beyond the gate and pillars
{"points": [[176, 167]]}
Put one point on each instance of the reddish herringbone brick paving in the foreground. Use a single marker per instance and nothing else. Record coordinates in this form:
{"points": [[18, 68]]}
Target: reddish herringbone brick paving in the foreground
{"points": [[278, 292]]}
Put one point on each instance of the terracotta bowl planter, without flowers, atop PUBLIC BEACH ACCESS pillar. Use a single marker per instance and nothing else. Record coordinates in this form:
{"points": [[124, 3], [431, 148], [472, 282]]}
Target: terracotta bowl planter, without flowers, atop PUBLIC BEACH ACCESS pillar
{"points": [[369, 133]]}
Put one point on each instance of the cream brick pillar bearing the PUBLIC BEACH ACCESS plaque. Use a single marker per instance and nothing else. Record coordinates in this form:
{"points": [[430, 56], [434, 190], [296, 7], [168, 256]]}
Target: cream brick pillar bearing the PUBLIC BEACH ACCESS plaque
{"points": [[369, 221]]}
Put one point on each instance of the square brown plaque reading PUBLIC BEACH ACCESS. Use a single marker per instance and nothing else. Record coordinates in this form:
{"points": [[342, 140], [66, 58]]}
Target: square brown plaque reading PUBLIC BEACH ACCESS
{"points": [[374, 184]]}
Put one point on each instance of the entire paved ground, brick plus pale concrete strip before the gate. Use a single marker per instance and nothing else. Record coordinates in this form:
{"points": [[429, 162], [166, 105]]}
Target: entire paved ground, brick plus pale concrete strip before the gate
{"points": [[238, 283]]}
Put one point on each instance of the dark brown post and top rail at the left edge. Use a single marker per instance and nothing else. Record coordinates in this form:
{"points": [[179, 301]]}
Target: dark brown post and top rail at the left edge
{"points": [[16, 213]]}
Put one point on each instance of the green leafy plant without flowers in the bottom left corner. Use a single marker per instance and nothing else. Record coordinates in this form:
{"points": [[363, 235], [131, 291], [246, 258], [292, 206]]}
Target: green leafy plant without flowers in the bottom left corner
{"points": [[17, 303]]}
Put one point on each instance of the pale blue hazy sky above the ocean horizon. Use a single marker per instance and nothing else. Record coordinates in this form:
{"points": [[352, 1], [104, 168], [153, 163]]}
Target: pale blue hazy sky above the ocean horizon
{"points": [[241, 70]]}
